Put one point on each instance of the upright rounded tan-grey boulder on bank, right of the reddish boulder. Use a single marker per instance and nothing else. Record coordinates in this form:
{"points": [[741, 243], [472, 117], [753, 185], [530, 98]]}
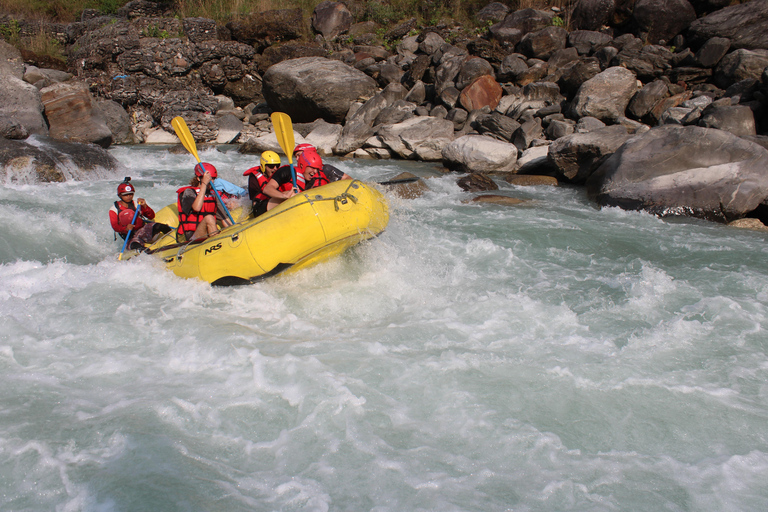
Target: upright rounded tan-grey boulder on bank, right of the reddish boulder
{"points": [[606, 95]]}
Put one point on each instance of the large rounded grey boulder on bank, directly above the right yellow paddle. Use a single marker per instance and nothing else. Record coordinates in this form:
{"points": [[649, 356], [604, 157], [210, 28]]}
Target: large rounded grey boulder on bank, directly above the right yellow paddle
{"points": [[308, 88]]}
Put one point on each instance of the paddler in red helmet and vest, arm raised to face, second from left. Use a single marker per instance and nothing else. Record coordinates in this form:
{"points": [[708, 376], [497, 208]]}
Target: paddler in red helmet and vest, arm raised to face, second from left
{"points": [[198, 208]]}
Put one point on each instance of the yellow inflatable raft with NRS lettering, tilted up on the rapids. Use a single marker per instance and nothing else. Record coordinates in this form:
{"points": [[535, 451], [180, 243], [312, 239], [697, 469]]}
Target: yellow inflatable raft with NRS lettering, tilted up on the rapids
{"points": [[305, 229]]}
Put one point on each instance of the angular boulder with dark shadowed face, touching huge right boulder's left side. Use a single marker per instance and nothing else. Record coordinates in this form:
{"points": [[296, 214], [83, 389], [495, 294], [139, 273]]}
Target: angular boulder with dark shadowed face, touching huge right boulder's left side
{"points": [[575, 157]]}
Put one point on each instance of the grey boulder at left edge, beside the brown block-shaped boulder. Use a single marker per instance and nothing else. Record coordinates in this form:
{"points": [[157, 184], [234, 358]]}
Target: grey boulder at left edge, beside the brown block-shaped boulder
{"points": [[20, 104]]}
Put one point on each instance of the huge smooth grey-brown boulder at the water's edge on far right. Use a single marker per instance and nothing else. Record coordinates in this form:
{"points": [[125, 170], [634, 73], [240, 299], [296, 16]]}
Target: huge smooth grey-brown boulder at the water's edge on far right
{"points": [[684, 170]]}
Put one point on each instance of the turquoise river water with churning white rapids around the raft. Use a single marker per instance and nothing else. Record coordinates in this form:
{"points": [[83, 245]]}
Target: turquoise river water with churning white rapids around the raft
{"points": [[550, 356]]}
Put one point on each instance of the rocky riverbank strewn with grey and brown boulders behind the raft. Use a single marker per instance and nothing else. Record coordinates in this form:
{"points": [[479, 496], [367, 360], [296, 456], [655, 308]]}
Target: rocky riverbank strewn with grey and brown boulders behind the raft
{"points": [[651, 104]]}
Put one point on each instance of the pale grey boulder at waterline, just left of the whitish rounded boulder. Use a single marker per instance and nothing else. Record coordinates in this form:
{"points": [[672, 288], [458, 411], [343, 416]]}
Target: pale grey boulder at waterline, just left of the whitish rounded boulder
{"points": [[418, 138]]}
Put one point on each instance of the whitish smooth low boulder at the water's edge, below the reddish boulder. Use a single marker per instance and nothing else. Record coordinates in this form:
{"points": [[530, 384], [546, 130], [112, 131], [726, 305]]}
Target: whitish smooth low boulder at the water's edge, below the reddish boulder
{"points": [[479, 153]]}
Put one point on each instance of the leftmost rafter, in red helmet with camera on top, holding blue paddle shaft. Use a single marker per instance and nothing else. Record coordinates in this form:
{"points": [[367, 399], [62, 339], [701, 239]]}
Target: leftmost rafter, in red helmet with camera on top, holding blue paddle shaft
{"points": [[123, 211]]}
